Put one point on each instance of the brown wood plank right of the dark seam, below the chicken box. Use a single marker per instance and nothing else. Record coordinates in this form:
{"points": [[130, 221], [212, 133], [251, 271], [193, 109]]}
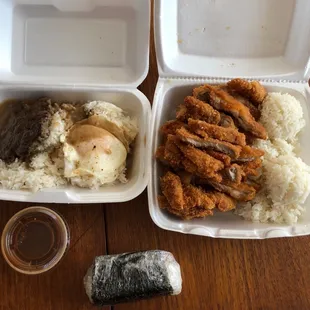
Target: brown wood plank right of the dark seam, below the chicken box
{"points": [[217, 273]]}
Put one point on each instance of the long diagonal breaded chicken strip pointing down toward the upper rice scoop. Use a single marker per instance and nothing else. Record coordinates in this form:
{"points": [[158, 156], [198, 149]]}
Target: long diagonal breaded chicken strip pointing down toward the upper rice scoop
{"points": [[222, 101]]}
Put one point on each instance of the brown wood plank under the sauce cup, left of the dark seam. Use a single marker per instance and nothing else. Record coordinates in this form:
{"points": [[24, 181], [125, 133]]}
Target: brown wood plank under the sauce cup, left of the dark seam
{"points": [[62, 287]]}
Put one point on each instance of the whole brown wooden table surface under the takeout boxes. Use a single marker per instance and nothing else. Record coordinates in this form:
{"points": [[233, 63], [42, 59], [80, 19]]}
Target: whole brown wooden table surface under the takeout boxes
{"points": [[217, 274]]}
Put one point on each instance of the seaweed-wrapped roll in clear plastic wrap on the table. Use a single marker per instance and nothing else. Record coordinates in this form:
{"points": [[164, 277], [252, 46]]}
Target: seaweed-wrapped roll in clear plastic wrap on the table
{"points": [[119, 278]]}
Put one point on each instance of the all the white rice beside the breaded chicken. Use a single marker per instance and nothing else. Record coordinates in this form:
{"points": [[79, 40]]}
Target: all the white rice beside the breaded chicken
{"points": [[286, 178]]}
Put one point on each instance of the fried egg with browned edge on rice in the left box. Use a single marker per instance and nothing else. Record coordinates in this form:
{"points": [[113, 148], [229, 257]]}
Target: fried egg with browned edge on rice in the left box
{"points": [[93, 156]]}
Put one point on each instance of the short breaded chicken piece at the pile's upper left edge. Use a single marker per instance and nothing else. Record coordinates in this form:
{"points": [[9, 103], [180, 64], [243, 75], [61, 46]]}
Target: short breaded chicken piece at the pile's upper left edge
{"points": [[196, 109]]}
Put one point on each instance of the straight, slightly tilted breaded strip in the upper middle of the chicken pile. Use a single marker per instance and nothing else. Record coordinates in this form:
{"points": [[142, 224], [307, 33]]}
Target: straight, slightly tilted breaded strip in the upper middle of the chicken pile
{"points": [[217, 132]]}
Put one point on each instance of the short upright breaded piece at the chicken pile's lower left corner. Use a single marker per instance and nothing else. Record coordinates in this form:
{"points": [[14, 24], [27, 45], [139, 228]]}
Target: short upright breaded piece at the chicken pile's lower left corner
{"points": [[172, 189]]}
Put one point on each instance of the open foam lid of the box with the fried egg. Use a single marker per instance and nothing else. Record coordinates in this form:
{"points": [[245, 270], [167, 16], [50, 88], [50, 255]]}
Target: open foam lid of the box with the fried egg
{"points": [[79, 42]]}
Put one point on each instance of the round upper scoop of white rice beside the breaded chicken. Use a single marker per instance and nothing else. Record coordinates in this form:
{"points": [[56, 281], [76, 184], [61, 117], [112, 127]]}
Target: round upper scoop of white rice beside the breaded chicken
{"points": [[282, 116]]}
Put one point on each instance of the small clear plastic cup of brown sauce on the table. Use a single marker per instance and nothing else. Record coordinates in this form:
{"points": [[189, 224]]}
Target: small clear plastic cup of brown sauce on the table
{"points": [[34, 240]]}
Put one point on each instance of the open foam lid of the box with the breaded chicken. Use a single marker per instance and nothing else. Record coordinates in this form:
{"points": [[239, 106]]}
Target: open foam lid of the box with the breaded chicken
{"points": [[225, 38]]}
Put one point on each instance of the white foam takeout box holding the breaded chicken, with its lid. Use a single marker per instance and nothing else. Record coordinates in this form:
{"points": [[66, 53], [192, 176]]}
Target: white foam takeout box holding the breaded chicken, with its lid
{"points": [[212, 41]]}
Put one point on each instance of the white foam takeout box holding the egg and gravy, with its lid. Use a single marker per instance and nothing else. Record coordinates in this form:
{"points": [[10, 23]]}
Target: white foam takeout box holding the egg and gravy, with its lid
{"points": [[79, 50]]}
